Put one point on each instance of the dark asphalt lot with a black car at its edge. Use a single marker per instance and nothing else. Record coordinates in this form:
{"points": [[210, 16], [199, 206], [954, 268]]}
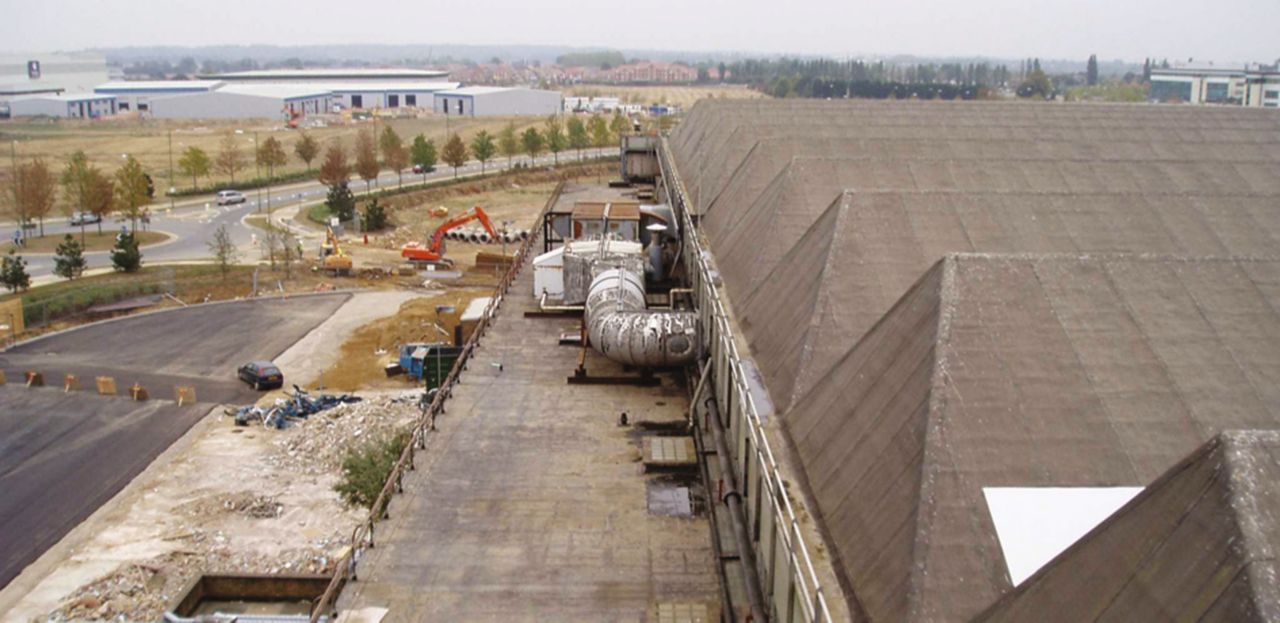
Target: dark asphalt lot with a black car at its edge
{"points": [[65, 455]]}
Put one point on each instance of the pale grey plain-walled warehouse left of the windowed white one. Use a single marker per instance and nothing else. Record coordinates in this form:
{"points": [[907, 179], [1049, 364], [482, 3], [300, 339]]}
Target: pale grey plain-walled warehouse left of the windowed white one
{"points": [[244, 102]]}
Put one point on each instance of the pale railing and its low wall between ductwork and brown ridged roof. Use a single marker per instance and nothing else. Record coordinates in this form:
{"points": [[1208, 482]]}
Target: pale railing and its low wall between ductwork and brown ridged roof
{"points": [[787, 538]]}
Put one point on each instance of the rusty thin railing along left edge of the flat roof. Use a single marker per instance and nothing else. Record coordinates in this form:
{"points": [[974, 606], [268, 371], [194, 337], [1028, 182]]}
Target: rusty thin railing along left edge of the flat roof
{"points": [[363, 535]]}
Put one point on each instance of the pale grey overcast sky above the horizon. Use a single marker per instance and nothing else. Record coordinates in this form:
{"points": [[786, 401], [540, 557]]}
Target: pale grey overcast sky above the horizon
{"points": [[1132, 30]]}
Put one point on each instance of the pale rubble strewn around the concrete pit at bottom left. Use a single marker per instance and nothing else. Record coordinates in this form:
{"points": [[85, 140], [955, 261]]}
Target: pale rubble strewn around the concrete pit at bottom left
{"points": [[141, 592]]}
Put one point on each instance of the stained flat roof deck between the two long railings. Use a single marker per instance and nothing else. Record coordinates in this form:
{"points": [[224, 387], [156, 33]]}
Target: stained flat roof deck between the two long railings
{"points": [[531, 502]]}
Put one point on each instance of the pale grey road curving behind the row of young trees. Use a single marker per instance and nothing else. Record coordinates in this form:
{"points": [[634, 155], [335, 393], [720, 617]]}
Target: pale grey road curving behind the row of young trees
{"points": [[195, 221]]}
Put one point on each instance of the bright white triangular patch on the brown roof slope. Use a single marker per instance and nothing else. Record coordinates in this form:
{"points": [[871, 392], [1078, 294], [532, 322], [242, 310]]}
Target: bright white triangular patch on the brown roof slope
{"points": [[1035, 525]]}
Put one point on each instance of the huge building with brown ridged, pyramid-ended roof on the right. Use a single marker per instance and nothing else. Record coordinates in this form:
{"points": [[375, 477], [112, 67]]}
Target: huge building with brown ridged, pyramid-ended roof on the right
{"points": [[1007, 346]]}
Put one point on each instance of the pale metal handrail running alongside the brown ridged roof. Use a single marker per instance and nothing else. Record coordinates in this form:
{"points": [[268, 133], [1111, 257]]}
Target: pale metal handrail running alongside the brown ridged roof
{"points": [[815, 602]]}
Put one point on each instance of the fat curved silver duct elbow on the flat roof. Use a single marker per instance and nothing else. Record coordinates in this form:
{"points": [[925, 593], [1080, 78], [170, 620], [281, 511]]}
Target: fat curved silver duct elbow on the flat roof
{"points": [[621, 329]]}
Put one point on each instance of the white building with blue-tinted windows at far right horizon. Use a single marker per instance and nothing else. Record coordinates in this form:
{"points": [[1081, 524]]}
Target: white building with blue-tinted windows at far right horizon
{"points": [[1255, 88]]}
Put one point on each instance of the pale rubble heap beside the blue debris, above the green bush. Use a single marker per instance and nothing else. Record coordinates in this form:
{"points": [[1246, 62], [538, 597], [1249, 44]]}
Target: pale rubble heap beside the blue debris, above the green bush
{"points": [[319, 445]]}
